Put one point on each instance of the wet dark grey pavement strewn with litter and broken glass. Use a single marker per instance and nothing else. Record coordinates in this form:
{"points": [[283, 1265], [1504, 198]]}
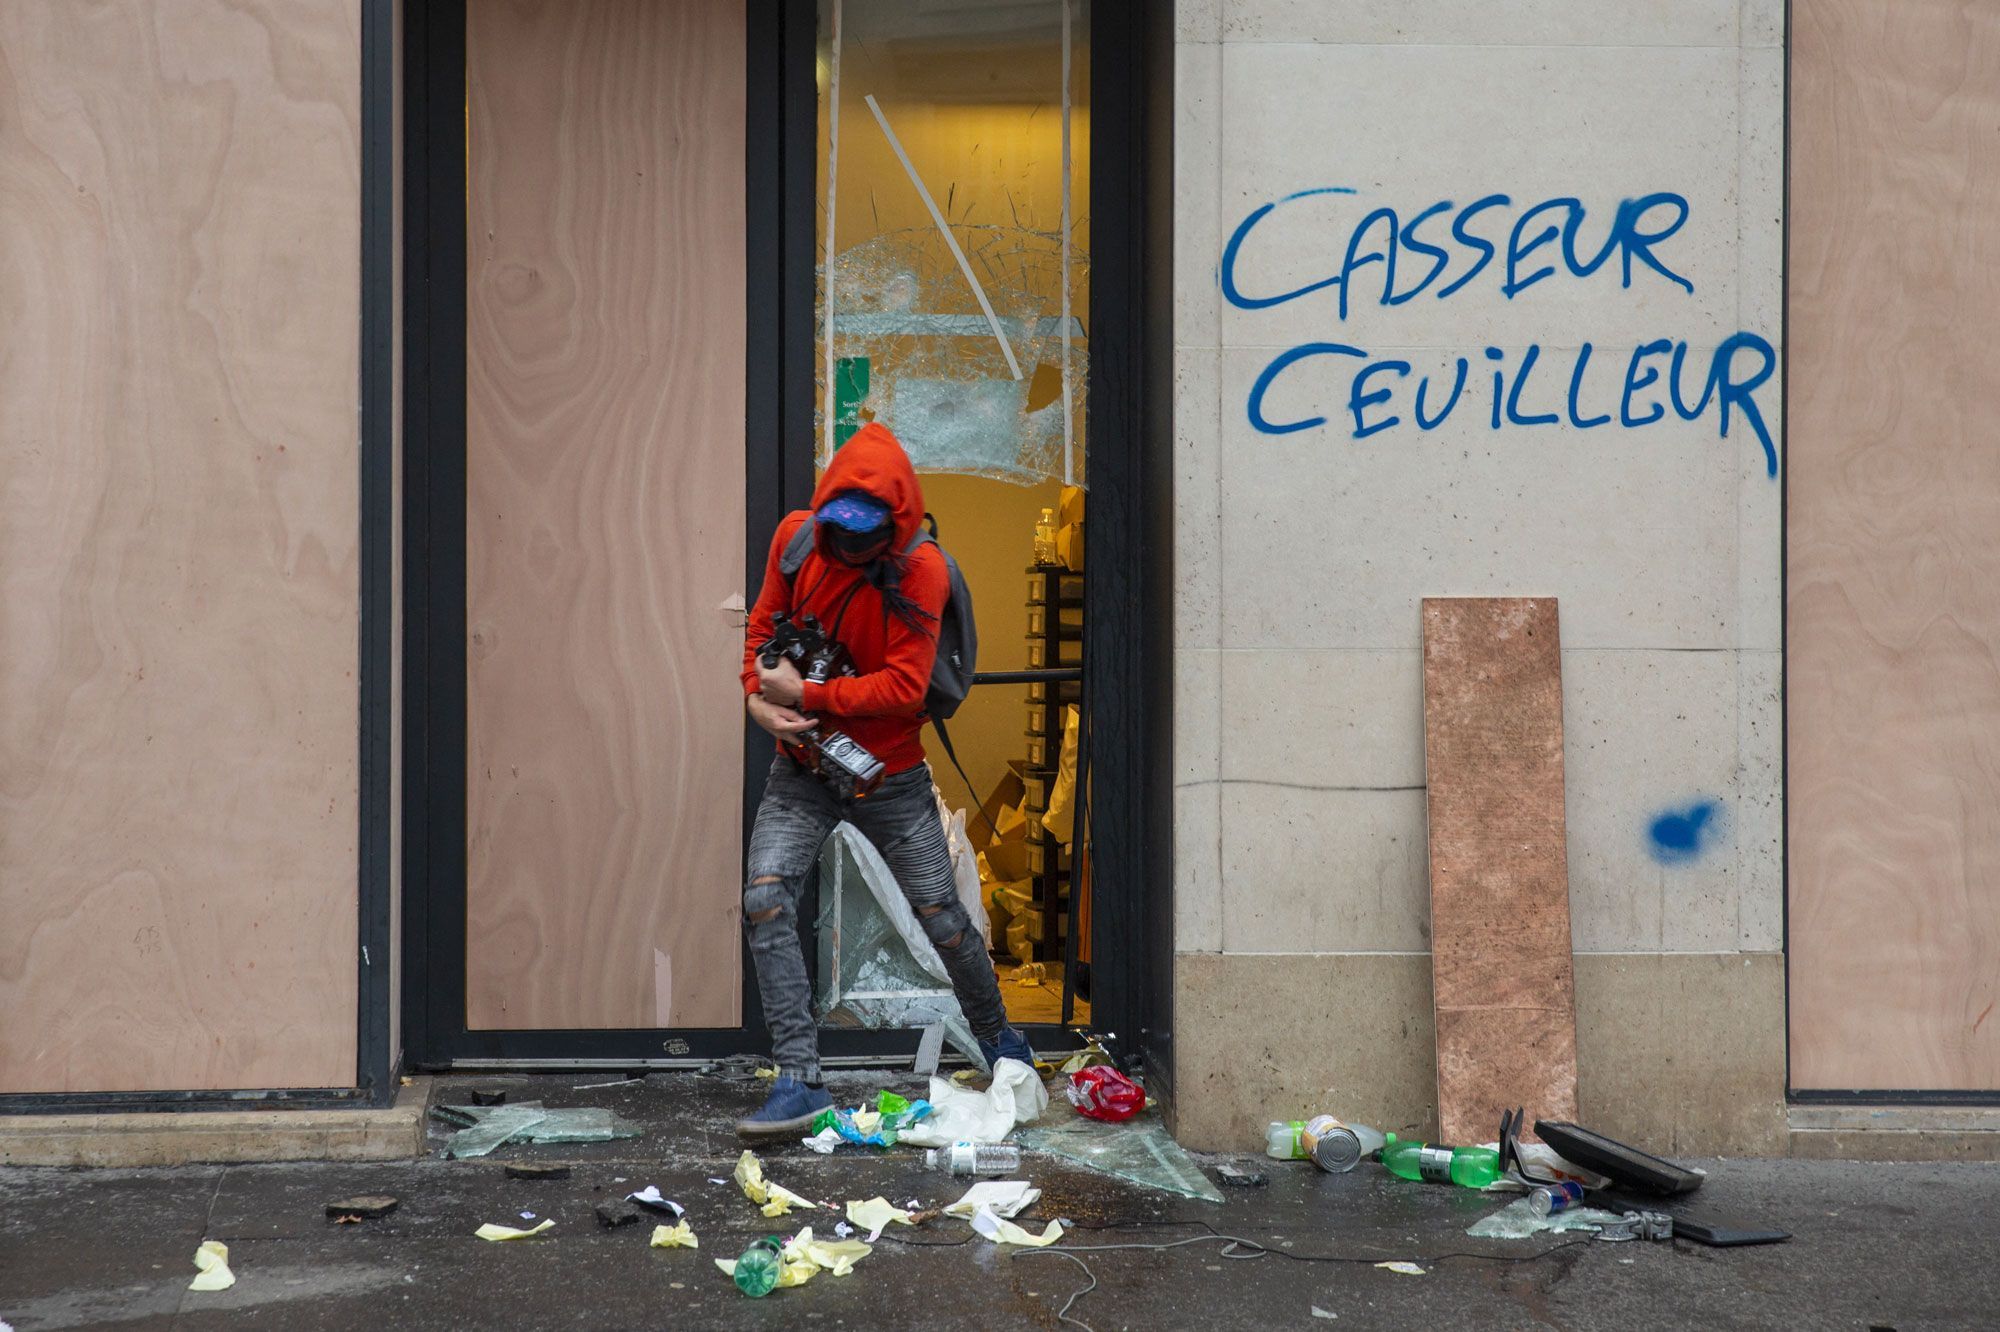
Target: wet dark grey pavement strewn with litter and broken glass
{"points": [[1877, 1247]]}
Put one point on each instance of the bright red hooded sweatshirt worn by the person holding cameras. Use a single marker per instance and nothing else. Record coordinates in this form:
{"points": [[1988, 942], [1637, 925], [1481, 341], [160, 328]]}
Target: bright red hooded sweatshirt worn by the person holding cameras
{"points": [[883, 707]]}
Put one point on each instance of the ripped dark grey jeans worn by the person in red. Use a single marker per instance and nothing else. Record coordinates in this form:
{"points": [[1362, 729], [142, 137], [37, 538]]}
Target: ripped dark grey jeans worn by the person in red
{"points": [[903, 823]]}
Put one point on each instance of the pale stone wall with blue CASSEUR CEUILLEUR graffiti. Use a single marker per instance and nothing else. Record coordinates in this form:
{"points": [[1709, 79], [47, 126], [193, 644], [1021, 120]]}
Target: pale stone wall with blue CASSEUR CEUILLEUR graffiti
{"points": [[1383, 209]]}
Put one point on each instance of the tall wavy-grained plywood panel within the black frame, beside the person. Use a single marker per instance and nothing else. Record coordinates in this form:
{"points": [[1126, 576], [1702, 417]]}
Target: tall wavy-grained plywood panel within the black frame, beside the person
{"points": [[605, 501]]}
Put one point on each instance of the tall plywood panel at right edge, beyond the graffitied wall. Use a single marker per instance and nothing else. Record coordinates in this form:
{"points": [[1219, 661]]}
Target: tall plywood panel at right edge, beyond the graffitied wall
{"points": [[1893, 675]]}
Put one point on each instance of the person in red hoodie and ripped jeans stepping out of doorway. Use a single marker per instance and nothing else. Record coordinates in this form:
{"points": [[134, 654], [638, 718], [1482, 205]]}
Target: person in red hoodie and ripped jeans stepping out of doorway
{"points": [[881, 597]]}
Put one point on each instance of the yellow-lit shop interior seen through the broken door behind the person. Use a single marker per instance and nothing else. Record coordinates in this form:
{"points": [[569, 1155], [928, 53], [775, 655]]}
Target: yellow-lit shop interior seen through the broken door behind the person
{"points": [[961, 323]]}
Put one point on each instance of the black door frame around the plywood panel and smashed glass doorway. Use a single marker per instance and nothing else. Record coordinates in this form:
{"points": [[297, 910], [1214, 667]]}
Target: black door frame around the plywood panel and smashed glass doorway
{"points": [[1129, 643]]}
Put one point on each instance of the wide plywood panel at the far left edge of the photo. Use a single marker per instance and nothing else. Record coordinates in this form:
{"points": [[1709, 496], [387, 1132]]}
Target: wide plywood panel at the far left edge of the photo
{"points": [[179, 543]]}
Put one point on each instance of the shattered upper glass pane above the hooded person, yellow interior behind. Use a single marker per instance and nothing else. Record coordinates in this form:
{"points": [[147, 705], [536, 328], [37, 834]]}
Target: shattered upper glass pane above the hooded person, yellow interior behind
{"points": [[955, 273]]}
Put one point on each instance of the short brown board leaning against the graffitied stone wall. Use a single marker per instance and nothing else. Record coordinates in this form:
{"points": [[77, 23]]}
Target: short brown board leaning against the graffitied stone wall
{"points": [[1499, 875]]}
